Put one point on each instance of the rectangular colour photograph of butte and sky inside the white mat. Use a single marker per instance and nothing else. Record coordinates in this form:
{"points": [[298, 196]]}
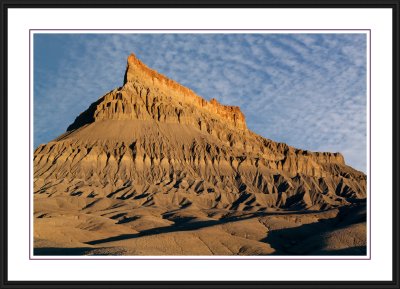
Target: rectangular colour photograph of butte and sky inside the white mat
{"points": [[200, 143]]}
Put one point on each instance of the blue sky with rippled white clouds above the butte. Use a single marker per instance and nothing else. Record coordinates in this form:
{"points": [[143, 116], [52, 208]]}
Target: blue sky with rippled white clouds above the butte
{"points": [[307, 90]]}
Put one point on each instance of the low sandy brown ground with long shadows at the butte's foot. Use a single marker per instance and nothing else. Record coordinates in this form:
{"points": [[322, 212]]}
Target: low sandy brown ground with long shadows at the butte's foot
{"points": [[84, 226]]}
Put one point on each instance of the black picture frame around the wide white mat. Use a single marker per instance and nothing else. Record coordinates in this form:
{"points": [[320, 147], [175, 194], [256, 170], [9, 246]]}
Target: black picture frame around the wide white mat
{"points": [[5, 159]]}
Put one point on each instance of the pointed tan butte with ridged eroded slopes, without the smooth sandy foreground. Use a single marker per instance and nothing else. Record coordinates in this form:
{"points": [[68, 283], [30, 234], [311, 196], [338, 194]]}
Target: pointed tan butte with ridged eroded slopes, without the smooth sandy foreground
{"points": [[156, 142]]}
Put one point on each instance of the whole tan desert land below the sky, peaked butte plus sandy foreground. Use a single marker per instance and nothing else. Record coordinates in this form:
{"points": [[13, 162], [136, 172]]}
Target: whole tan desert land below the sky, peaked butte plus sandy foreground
{"points": [[152, 168]]}
